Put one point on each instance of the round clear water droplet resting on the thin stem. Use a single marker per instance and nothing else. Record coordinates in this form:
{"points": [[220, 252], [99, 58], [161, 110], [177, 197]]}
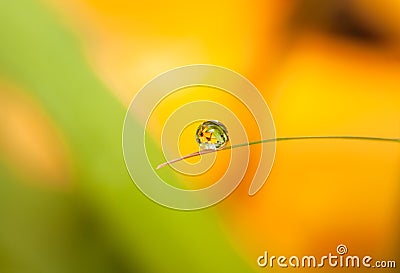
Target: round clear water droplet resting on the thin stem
{"points": [[212, 135]]}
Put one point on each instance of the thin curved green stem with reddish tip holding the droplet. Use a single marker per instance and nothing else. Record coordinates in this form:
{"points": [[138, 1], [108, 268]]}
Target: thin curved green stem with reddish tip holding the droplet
{"points": [[275, 140]]}
